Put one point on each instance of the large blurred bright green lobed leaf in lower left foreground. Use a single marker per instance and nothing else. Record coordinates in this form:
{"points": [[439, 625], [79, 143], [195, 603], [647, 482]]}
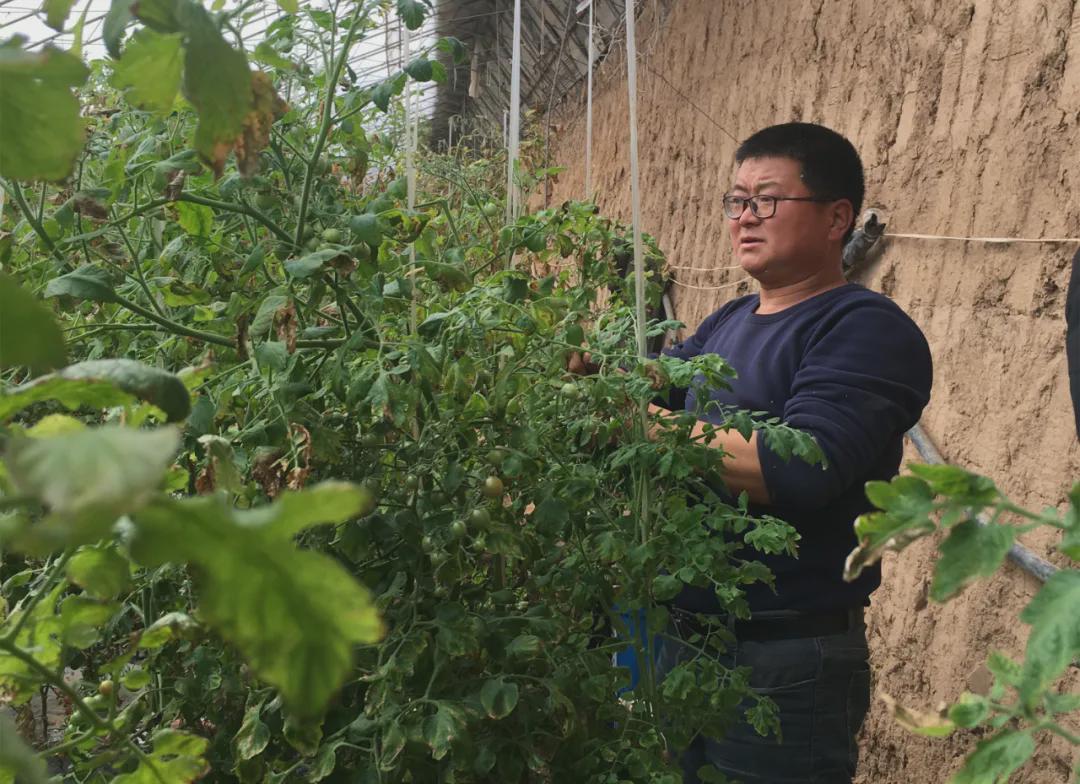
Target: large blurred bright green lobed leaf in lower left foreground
{"points": [[293, 614]]}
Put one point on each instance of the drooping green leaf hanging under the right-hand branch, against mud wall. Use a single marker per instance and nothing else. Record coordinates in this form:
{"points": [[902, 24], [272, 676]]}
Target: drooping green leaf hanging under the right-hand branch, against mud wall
{"points": [[970, 551]]}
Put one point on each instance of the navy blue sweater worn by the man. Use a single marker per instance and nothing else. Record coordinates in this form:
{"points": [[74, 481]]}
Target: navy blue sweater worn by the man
{"points": [[852, 369]]}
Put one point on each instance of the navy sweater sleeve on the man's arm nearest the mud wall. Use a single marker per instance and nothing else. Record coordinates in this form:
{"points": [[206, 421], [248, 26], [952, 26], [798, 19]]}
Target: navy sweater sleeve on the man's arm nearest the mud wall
{"points": [[863, 382]]}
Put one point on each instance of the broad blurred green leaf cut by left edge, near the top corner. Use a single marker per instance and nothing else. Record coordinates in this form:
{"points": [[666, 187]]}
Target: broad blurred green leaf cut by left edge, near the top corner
{"points": [[43, 132]]}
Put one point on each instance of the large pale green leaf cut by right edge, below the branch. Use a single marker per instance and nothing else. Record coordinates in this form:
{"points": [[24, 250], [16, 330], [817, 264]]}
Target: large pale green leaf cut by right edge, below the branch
{"points": [[1056, 633]]}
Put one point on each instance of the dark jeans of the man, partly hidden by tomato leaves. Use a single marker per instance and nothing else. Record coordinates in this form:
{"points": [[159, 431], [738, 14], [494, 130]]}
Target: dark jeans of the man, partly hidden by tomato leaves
{"points": [[821, 686]]}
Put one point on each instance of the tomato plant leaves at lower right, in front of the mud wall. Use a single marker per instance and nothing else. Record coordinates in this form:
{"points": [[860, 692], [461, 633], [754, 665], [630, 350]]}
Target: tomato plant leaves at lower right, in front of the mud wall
{"points": [[1023, 700]]}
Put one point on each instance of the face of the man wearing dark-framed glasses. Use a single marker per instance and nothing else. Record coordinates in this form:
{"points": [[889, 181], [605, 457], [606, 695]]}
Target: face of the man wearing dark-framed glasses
{"points": [[800, 237]]}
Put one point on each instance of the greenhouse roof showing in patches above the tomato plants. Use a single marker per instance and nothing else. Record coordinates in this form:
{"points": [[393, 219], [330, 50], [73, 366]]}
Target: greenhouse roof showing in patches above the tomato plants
{"points": [[555, 49]]}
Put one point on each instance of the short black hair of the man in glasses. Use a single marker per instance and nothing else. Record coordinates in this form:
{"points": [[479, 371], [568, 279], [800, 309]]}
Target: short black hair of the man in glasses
{"points": [[830, 164]]}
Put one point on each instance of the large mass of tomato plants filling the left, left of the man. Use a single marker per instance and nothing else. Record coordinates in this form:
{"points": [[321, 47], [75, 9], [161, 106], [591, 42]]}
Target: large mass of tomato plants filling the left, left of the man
{"points": [[340, 513]]}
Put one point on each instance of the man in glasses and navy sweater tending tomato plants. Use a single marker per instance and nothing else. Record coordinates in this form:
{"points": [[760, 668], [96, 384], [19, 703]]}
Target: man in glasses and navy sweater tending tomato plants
{"points": [[846, 366]]}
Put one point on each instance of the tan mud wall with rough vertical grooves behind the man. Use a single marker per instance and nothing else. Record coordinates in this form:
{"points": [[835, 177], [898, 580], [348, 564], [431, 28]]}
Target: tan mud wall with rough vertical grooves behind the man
{"points": [[968, 119]]}
